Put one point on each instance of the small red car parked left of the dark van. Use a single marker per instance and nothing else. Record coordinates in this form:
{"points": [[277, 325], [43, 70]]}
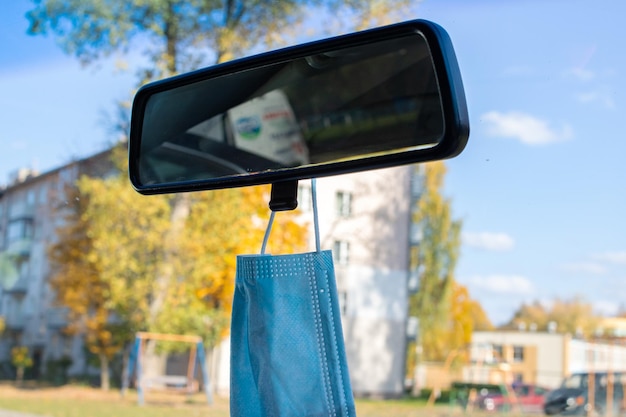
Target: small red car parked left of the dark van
{"points": [[528, 397]]}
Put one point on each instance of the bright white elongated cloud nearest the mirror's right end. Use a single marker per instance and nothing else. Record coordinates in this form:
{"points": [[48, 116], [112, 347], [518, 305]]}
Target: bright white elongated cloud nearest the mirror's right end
{"points": [[528, 129]]}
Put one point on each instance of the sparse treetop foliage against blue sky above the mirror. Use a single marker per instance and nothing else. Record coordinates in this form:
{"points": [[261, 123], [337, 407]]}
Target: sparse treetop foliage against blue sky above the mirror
{"points": [[178, 36]]}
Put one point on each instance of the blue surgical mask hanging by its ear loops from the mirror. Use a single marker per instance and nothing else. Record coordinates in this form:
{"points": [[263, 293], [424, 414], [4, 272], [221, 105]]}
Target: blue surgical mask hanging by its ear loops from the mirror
{"points": [[287, 349]]}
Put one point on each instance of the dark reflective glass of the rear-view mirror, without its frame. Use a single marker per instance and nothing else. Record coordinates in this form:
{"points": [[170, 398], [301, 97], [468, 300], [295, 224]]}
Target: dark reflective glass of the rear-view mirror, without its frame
{"points": [[339, 105]]}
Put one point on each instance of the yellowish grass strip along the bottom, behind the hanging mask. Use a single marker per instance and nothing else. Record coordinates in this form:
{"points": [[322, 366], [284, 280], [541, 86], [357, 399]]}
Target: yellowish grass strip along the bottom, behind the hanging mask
{"points": [[74, 401]]}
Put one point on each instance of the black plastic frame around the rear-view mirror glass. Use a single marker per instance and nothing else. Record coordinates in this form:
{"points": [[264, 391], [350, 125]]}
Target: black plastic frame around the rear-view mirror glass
{"points": [[456, 129]]}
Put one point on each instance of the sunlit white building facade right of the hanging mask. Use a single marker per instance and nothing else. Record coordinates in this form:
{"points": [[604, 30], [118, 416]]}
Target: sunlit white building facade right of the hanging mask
{"points": [[371, 244]]}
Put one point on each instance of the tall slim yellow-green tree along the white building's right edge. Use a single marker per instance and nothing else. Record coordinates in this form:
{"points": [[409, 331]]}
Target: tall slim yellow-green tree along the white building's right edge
{"points": [[435, 258]]}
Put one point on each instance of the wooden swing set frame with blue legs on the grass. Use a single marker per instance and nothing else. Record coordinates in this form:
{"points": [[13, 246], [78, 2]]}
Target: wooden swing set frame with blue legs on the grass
{"points": [[181, 383]]}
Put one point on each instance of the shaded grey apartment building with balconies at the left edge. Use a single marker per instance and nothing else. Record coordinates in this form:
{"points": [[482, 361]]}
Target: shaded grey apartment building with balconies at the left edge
{"points": [[30, 212]]}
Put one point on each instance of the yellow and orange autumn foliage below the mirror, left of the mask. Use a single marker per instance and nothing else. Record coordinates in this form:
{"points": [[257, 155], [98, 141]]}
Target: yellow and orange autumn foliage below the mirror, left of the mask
{"points": [[124, 264]]}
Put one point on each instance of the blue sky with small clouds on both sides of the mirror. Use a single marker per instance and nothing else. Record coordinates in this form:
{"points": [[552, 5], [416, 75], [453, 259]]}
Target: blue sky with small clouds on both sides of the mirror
{"points": [[541, 187]]}
